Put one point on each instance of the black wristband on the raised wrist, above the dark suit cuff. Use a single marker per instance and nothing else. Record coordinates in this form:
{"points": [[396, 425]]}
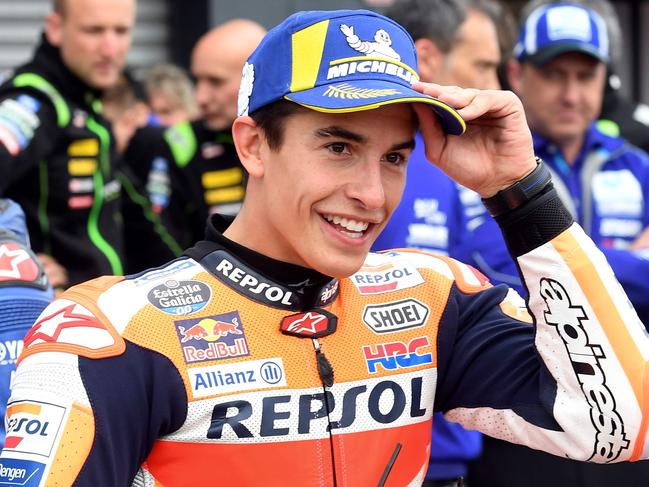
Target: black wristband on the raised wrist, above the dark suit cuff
{"points": [[520, 192]]}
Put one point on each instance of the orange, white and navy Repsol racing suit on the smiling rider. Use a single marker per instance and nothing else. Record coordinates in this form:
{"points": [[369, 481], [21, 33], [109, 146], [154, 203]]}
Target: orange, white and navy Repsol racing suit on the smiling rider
{"points": [[218, 368]]}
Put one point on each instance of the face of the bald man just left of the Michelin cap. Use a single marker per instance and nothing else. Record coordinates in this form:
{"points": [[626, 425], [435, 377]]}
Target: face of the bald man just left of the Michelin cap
{"points": [[217, 74]]}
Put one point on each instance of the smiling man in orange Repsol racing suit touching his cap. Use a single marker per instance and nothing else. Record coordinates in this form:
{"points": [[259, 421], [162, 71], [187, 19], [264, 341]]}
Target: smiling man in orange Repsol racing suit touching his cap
{"points": [[278, 346]]}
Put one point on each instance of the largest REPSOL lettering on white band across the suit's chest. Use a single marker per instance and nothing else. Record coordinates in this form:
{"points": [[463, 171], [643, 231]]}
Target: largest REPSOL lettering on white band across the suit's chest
{"points": [[346, 407]]}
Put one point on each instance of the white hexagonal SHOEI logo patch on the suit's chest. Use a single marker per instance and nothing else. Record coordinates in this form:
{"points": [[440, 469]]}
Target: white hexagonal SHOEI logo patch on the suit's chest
{"points": [[395, 316]]}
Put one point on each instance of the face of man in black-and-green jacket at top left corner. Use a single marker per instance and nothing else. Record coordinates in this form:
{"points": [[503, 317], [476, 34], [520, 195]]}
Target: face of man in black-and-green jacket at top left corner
{"points": [[94, 37]]}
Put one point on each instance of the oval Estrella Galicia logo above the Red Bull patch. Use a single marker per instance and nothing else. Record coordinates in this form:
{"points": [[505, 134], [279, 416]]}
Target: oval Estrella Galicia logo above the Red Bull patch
{"points": [[180, 297]]}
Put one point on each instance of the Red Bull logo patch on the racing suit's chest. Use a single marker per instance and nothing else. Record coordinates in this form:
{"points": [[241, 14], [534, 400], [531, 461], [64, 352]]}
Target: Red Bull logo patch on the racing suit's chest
{"points": [[212, 337]]}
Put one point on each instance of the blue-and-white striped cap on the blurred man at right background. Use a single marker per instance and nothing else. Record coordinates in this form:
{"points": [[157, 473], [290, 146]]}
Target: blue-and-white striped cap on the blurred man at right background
{"points": [[559, 28]]}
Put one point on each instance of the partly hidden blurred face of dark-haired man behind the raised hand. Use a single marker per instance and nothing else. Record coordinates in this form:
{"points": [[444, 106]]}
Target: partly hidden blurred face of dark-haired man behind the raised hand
{"points": [[473, 60]]}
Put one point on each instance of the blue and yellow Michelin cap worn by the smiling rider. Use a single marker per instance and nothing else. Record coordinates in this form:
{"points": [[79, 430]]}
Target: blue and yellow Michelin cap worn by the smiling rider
{"points": [[336, 62]]}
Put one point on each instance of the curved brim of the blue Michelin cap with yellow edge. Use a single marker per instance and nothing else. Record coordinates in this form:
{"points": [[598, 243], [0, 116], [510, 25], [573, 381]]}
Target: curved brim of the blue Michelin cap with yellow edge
{"points": [[369, 94]]}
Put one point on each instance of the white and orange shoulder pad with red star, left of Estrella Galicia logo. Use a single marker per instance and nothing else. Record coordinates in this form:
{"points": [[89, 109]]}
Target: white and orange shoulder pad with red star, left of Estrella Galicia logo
{"points": [[74, 324]]}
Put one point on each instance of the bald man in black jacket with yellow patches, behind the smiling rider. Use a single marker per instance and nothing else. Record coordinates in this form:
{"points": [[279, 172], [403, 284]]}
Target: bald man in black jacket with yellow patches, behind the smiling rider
{"points": [[195, 170]]}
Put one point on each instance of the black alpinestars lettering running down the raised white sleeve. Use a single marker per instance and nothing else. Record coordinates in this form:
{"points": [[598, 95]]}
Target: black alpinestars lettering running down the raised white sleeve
{"points": [[571, 322]]}
